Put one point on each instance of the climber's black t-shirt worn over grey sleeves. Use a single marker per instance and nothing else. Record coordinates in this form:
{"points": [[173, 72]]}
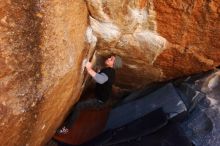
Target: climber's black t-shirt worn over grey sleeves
{"points": [[103, 91]]}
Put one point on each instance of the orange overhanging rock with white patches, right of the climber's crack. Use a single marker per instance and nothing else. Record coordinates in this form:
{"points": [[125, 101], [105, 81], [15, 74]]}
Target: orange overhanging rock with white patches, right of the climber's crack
{"points": [[157, 40]]}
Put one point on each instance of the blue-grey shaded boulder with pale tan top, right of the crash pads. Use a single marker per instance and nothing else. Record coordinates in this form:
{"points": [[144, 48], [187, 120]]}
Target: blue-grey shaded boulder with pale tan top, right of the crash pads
{"points": [[203, 123]]}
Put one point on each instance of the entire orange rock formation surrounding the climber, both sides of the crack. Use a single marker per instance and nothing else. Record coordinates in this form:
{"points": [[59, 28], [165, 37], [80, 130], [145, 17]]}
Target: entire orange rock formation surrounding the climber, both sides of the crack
{"points": [[43, 46]]}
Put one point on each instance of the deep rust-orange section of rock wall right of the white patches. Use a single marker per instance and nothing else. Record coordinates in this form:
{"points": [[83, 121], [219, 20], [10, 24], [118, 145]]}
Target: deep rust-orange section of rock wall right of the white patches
{"points": [[193, 31]]}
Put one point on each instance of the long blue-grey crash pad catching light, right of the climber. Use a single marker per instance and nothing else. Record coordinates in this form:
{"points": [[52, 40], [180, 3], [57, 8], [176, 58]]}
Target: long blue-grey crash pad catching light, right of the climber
{"points": [[165, 97]]}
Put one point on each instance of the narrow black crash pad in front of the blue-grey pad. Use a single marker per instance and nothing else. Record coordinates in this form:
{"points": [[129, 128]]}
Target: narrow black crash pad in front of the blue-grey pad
{"points": [[146, 125]]}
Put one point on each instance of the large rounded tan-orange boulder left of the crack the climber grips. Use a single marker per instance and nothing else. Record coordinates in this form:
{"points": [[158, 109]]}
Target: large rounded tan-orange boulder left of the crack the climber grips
{"points": [[41, 51]]}
